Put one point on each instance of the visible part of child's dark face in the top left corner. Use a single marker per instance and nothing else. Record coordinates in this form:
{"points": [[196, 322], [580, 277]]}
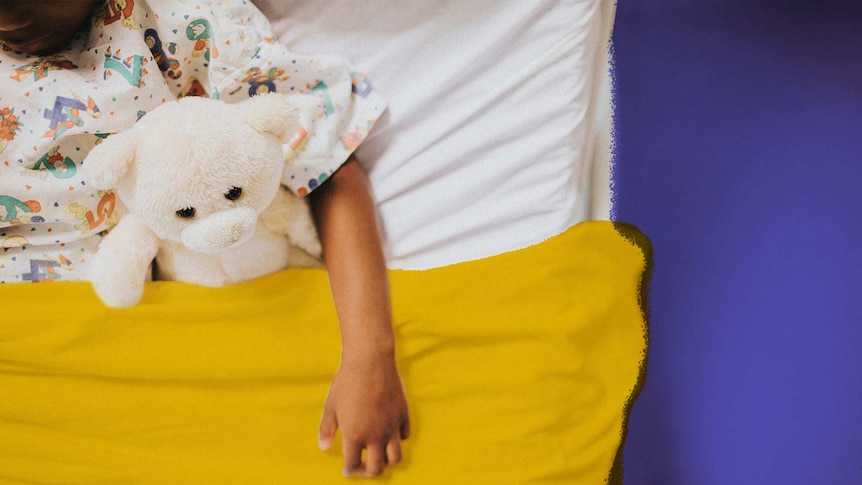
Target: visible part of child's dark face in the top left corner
{"points": [[43, 27]]}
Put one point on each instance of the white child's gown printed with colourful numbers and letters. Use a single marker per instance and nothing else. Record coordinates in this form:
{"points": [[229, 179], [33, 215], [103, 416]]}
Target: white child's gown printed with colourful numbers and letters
{"points": [[137, 55]]}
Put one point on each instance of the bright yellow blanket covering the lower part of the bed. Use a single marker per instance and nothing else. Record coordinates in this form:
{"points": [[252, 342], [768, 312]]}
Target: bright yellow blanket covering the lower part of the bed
{"points": [[519, 368]]}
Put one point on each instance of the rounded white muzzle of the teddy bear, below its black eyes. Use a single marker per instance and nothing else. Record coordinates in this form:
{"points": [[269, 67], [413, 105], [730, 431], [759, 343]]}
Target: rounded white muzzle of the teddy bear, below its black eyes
{"points": [[220, 231]]}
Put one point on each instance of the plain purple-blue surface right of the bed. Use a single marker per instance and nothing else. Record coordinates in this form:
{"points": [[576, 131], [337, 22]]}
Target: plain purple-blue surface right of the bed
{"points": [[739, 153]]}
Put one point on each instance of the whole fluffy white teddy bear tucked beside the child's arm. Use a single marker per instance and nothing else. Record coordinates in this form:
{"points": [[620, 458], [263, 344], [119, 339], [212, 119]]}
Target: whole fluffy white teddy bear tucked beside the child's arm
{"points": [[199, 186]]}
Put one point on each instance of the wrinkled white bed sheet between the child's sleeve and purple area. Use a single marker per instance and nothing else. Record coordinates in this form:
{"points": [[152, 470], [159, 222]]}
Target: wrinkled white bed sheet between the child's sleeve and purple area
{"points": [[498, 130]]}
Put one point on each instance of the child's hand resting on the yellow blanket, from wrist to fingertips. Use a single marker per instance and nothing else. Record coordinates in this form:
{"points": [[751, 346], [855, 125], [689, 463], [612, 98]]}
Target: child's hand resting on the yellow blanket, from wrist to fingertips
{"points": [[367, 402]]}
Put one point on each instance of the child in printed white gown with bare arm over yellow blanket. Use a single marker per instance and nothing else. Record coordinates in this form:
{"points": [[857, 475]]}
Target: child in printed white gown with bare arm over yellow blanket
{"points": [[74, 72]]}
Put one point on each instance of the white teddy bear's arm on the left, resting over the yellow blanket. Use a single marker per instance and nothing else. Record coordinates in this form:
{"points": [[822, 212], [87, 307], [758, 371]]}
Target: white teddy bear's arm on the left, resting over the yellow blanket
{"points": [[120, 266]]}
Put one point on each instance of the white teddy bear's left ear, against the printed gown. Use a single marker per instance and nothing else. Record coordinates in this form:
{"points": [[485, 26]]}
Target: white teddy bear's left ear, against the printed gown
{"points": [[109, 161]]}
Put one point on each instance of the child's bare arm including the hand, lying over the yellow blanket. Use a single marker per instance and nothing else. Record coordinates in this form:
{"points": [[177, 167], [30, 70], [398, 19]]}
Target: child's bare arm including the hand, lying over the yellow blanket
{"points": [[366, 399]]}
